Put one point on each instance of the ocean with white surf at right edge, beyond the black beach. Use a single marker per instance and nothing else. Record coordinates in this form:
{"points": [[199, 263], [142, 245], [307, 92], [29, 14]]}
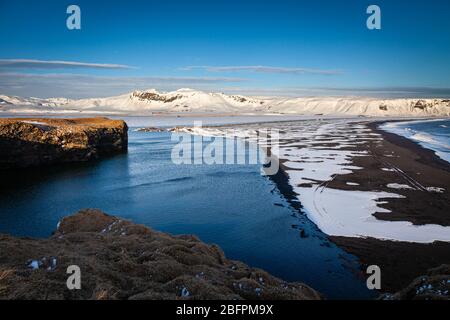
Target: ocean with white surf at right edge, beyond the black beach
{"points": [[431, 134]]}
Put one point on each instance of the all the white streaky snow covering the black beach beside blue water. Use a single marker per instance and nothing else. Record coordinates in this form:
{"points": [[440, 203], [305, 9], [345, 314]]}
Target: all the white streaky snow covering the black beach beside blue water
{"points": [[314, 152]]}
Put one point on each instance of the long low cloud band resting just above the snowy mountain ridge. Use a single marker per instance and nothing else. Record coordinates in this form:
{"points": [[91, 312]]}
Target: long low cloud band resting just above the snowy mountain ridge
{"points": [[87, 86]]}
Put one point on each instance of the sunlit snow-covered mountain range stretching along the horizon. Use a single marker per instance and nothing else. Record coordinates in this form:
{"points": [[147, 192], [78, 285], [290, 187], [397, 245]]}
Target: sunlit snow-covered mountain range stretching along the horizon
{"points": [[194, 101]]}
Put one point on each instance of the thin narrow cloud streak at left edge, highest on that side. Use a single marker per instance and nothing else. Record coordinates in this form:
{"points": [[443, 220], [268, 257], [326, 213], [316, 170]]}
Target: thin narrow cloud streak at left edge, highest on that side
{"points": [[56, 64]]}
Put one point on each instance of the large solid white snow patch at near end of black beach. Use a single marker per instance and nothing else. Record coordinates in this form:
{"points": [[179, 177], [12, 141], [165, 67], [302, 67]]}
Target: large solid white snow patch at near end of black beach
{"points": [[350, 214]]}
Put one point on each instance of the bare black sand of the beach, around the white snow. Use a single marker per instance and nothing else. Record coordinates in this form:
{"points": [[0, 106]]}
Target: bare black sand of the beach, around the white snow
{"points": [[403, 261]]}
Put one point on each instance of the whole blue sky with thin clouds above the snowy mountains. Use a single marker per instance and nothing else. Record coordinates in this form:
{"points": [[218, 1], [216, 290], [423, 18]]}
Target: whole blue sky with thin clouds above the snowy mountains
{"points": [[252, 47]]}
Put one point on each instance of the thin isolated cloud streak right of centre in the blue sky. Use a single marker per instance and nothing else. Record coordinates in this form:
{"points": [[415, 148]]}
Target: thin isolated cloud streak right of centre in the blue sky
{"points": [[263, 69]]}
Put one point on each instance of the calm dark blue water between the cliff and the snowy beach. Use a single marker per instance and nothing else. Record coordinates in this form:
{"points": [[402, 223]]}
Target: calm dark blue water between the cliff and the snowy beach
{"points": [[230, 205]]}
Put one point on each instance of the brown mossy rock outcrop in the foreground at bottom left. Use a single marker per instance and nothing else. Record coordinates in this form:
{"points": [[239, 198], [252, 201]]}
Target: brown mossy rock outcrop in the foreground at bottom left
{"points": [[122, 260]]}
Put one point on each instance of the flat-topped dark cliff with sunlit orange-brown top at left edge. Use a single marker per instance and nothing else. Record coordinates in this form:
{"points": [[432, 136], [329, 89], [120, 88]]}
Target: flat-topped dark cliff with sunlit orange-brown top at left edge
{"points": [[37, 142]]}
